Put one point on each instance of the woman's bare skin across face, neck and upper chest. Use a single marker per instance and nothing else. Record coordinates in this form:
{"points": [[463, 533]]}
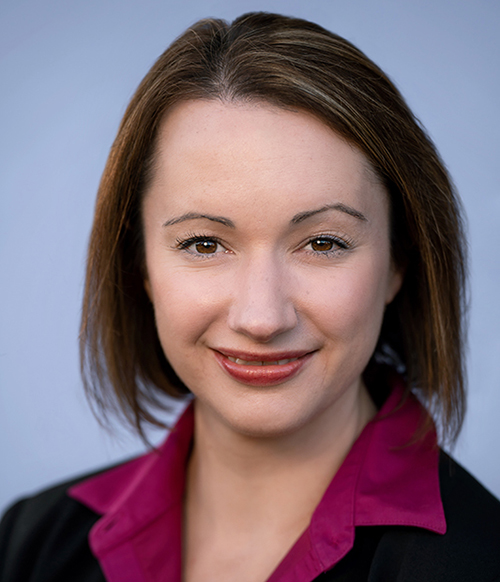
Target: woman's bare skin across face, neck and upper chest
{"points": [[266, 235]]}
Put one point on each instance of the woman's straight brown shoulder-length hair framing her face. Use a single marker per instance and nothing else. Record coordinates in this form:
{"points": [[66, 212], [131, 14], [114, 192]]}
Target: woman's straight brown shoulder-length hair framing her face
{"points": [[297, 65]]}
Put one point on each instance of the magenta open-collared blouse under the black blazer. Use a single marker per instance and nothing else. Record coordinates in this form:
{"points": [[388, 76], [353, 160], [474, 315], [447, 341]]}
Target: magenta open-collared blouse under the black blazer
{"points": [[387, 478]]}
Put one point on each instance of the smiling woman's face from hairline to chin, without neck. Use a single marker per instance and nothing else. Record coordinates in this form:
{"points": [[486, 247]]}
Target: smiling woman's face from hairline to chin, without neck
{"points": [[268, 263]]}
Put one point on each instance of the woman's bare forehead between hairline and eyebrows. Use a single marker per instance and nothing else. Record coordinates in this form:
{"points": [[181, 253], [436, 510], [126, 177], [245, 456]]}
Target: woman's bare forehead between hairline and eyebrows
{"points": [[217, 149]]}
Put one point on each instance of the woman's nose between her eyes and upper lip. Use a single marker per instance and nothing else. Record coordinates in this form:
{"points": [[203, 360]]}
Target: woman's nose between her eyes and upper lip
{"points": [[261, 305]]}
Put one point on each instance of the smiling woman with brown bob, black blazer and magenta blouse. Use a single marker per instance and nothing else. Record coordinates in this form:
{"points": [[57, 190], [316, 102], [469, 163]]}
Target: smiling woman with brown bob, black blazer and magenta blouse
{"points": [[276, 235]]}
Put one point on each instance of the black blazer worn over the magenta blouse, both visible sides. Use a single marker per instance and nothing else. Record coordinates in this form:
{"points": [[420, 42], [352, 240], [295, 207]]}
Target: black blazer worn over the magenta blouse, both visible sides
{"points": [[44, 539]]}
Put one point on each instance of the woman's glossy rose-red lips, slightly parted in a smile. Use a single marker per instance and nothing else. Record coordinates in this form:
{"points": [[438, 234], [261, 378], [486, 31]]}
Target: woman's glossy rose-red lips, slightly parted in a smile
{"points": [[262, 369]]}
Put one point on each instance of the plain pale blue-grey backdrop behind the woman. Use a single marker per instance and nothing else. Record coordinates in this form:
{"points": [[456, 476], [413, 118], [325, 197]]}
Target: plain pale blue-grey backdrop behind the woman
{"points": [[67, 70]]}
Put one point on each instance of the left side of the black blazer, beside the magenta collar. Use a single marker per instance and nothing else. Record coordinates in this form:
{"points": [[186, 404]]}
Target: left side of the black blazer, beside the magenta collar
{"points": [[44, 537]]}
